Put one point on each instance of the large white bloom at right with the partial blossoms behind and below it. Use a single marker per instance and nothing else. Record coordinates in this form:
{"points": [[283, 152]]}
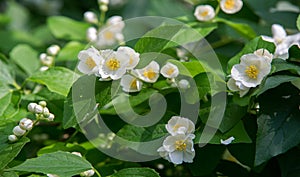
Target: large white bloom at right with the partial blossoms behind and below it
{"points": [[250, 72]]}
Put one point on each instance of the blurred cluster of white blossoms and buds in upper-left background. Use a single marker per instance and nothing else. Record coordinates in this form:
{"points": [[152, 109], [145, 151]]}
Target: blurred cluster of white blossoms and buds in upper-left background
{"points": [[107, 35]]}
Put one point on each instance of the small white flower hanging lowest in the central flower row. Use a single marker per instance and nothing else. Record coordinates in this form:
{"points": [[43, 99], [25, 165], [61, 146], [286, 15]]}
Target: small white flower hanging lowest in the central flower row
{"points": [[131, 84]]}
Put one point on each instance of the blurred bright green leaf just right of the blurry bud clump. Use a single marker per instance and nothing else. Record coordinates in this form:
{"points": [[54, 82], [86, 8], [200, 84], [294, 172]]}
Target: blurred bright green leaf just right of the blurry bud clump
{"points": [[70, 51]]}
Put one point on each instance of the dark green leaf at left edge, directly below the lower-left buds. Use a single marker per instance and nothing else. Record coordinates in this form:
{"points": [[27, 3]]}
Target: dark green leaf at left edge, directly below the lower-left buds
{"points": [[9, 151]]}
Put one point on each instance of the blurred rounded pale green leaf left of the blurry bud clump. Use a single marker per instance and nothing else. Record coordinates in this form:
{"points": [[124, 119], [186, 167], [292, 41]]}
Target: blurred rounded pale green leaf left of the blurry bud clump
{"points": [[26, 58]]}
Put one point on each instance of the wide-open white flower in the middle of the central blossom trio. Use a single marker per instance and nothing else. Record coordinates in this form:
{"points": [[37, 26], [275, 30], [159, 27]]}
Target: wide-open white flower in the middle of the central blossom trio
{"points": [[114, 64]]}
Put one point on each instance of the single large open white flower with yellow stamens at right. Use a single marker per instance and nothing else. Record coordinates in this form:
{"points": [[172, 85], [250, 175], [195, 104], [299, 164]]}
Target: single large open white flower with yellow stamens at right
{"points": [[251, 71]]}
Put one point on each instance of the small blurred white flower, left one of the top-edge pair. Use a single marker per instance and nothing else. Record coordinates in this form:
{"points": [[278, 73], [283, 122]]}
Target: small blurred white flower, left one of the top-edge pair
{"points": [[204, 12]]}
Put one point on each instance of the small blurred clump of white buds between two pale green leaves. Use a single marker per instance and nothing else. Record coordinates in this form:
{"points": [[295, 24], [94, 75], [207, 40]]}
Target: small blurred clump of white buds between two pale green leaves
{"points": [[47, 59]]}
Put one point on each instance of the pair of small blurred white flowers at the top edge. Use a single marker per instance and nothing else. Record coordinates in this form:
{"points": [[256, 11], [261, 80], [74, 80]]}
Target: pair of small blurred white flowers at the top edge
{"points": [[207, 12]]}
